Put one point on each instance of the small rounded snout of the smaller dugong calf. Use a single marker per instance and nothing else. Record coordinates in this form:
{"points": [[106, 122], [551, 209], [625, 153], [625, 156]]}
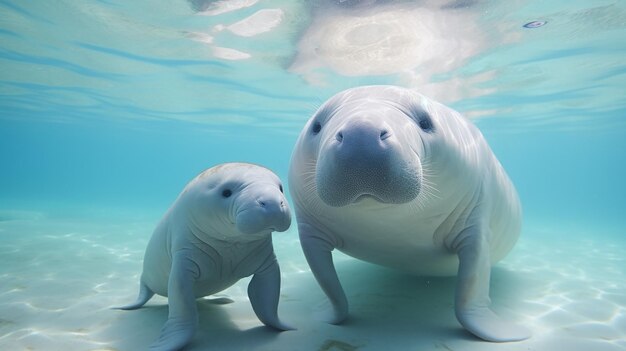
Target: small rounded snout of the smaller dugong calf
{"points": [[269, 211]]}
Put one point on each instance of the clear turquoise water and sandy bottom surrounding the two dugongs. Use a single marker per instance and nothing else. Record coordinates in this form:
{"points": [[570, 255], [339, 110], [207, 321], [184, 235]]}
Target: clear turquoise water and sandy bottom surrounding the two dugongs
{"points": [[108, 108]]}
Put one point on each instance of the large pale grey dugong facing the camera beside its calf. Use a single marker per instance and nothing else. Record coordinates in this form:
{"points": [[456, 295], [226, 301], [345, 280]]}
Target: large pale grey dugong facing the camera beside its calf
{"points": [[388, 176]]}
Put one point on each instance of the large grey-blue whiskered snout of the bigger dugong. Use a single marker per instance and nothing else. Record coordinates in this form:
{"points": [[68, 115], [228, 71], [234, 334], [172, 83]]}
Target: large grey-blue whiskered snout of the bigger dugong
{"points": [[364, 158]]}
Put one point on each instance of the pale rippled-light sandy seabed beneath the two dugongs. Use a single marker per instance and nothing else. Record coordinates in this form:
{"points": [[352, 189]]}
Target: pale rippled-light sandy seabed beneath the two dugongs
{"points": [[59, 278]]}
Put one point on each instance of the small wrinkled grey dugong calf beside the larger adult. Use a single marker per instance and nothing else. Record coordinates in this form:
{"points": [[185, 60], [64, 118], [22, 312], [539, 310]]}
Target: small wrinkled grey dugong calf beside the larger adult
{"points": [[217, 232]]}
